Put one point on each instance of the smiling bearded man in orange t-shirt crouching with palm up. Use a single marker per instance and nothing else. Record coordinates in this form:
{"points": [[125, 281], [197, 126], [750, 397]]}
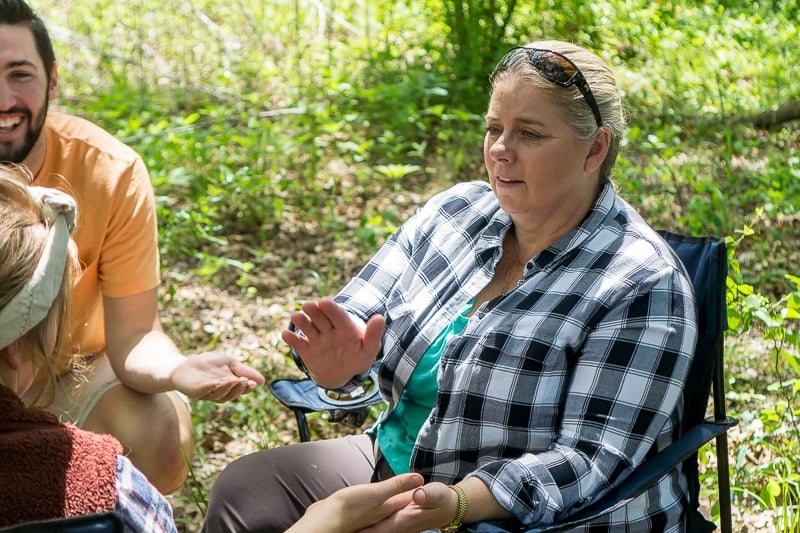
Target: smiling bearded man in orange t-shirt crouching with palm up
{"points": [[135, 382]]}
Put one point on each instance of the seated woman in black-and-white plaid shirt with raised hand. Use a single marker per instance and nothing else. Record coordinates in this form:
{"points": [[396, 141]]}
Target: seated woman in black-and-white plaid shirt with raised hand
{"points": [[533, 334]]}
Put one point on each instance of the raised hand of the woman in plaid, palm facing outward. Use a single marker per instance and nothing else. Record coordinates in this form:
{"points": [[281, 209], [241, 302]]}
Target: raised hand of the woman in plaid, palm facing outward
{"points": [[333, 346]]}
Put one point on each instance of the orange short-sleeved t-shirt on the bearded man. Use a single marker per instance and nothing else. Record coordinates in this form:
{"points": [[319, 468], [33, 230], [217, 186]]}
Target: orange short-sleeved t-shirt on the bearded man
{"points": [[116, 231]]}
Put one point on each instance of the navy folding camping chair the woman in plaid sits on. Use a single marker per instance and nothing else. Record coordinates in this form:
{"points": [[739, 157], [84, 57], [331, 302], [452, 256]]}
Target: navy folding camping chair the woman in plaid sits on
{"points": [[705, 259]]}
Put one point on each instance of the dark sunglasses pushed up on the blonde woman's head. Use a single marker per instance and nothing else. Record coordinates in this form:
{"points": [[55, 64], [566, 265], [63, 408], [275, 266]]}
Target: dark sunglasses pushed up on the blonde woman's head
{"points": [[556, 68]]}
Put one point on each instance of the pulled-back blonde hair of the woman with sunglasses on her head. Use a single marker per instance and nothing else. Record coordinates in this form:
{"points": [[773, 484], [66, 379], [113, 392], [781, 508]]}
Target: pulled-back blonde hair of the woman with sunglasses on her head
{"points": [[575, 110]]}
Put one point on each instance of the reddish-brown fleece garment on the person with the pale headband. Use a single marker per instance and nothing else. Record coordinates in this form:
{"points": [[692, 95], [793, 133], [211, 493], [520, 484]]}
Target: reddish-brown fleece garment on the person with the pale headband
{"points": [[49, 469]]}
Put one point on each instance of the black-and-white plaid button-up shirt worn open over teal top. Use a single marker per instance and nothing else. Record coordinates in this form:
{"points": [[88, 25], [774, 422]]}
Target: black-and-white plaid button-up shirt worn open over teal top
{"points": [[557, 389]]}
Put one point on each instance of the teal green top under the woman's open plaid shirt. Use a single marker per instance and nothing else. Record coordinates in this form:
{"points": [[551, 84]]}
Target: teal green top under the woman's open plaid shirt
{"points": [[398, 432]]}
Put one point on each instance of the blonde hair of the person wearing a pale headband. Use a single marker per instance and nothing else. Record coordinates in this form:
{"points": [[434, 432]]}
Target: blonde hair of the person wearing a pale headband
{"points": [[23, 237]]}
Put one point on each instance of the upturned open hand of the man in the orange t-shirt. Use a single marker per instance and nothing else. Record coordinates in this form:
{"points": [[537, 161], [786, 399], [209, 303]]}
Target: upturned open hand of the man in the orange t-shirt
{"points": [[215, 376]]}
